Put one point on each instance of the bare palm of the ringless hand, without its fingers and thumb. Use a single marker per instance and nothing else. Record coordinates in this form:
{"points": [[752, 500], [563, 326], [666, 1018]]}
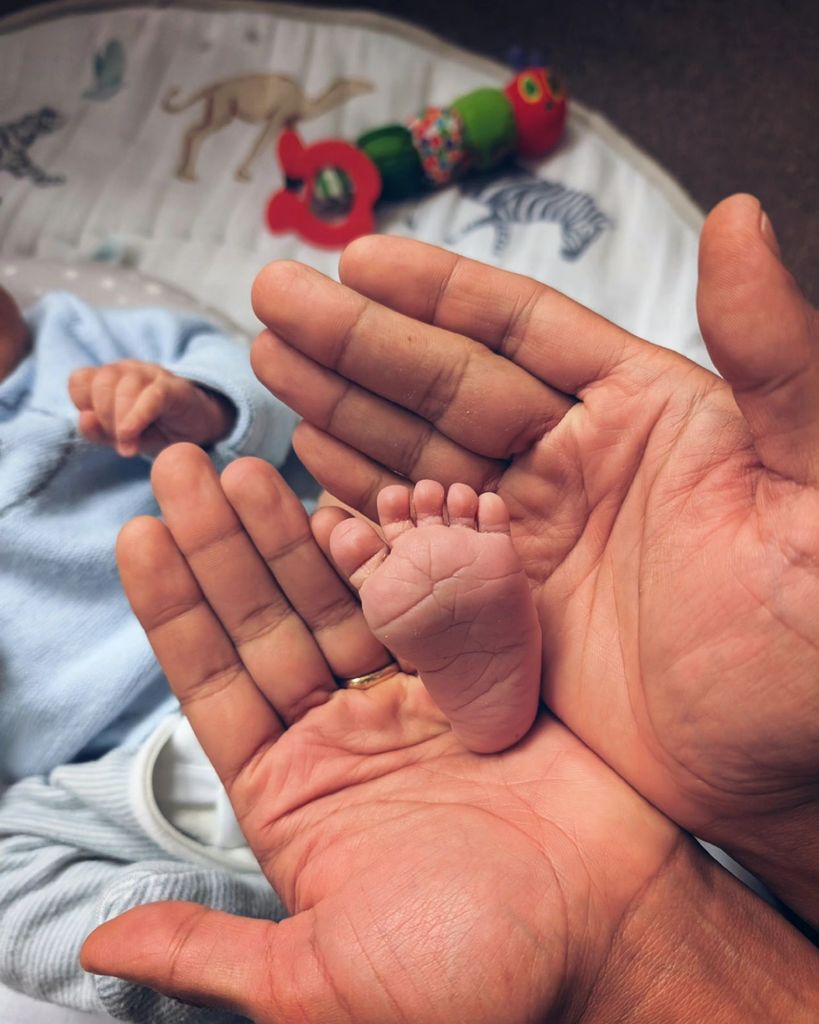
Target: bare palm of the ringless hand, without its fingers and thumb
{"points": [[675, 585]]}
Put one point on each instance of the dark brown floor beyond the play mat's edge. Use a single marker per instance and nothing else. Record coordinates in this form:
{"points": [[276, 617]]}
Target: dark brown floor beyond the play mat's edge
{"points": [[725, 96]]}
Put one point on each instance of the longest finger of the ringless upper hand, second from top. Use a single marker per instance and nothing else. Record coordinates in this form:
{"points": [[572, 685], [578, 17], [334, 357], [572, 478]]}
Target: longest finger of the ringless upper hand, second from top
{"points": [[462, 389]]}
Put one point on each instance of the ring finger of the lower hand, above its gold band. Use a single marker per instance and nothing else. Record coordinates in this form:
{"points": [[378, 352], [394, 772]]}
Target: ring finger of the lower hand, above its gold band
{"points": [[281, 532]]}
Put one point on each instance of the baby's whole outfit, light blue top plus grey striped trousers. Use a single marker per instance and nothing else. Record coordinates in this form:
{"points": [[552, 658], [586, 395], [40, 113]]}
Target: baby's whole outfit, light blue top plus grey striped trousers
{"points": [[79, 686]]}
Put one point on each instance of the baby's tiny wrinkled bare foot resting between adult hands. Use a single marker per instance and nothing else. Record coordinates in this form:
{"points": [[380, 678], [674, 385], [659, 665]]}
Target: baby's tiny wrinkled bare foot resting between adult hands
{"points": [[448, 594]]}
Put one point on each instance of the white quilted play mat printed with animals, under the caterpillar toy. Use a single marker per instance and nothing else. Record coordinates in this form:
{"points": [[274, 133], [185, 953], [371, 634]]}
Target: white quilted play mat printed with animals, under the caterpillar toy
{"points": [[132, 150]]}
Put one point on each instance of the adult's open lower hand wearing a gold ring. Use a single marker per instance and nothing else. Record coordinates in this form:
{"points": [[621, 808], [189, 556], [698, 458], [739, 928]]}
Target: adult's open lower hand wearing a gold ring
{"points": [[427, 884]]}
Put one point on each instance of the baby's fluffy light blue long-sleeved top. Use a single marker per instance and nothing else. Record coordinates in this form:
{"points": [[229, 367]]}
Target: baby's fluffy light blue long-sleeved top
{"points": [[77, 675]]}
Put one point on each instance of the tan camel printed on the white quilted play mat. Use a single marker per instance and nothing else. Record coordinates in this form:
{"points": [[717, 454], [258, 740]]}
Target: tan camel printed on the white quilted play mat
{"points": [[275, 102]]}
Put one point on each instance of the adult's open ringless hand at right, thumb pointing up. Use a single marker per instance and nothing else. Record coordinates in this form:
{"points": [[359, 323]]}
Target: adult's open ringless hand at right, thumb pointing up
{"points": [[668, 520]]}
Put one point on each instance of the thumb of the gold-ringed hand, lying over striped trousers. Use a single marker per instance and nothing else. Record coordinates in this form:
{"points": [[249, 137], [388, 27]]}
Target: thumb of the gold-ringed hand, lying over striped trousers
{"points": [[212, 959]]}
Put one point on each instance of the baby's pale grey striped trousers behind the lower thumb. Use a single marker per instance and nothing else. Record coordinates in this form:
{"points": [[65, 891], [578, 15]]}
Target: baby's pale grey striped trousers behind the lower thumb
{"points": [[73, 856]]}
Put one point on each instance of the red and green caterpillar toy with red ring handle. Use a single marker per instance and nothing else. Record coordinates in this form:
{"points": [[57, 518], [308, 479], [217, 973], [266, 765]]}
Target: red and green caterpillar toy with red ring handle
{"points": [[332, 187]]}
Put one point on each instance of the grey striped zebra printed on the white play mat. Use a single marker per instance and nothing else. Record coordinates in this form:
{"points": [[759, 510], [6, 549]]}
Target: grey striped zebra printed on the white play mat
{"points": [[526, 199]]}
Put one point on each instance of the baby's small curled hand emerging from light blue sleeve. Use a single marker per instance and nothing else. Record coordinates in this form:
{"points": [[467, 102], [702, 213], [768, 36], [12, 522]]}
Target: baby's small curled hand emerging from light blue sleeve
{"points": [[141, 408]]}
